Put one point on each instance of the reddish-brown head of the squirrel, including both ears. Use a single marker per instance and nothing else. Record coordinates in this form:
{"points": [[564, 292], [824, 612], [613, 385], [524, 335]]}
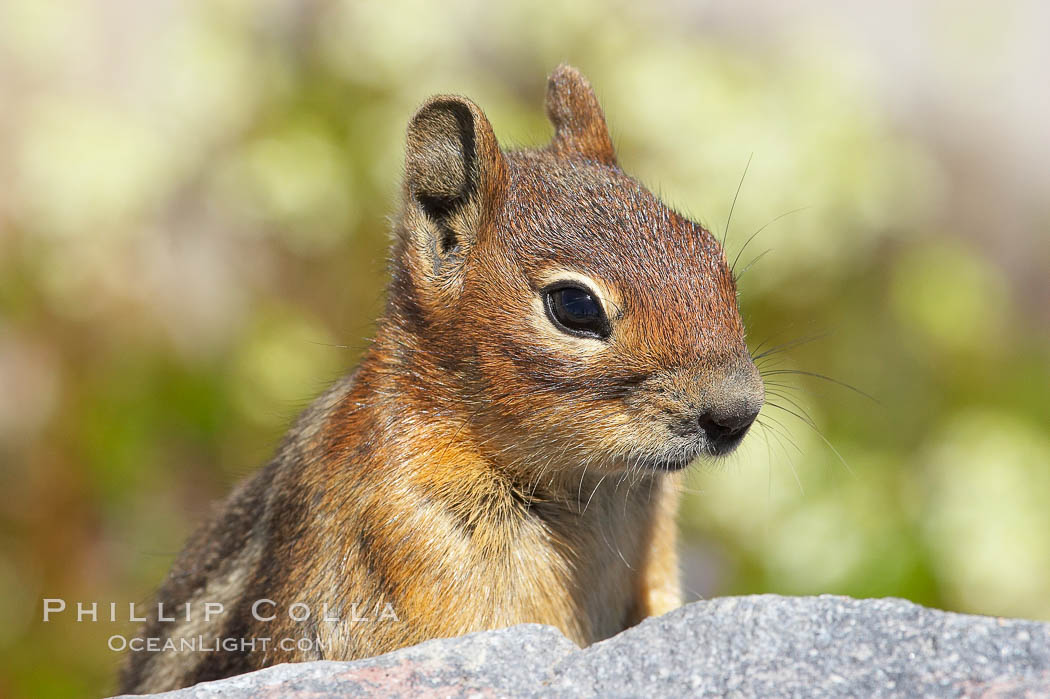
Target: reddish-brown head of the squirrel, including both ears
{"points": [[556, 305]]}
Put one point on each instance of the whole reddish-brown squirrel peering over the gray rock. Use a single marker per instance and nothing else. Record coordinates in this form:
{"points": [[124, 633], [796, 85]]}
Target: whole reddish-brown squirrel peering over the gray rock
{"points": [[558, 346]]}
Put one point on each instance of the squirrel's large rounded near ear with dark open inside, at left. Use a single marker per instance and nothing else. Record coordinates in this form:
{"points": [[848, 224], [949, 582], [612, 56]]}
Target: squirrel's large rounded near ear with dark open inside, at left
{"points": [[455, 175]]}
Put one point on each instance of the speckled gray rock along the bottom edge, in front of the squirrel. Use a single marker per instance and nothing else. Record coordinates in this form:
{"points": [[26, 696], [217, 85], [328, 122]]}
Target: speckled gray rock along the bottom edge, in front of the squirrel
{"points": [[763, 646]]}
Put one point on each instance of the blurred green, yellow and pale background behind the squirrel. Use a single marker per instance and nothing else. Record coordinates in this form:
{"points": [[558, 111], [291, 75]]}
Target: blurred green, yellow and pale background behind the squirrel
{"points": [[194, 213]]}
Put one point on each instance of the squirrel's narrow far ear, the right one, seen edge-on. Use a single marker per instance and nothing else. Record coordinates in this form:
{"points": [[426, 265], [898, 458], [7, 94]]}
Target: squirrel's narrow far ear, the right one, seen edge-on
{"points": [[579, 123]]}
